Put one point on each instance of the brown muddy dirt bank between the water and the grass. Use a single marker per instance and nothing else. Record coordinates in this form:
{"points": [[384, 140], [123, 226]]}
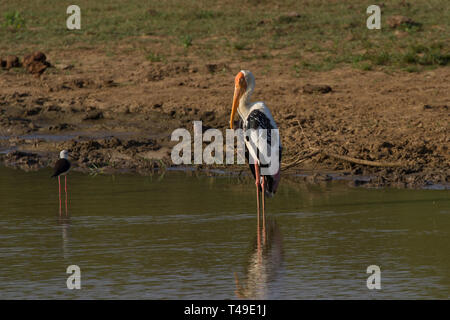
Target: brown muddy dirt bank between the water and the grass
{"points": [[118, 113]]}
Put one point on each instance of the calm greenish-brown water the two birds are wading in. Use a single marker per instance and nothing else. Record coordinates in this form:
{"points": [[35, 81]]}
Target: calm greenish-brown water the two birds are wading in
{"points": [[180, 236]]}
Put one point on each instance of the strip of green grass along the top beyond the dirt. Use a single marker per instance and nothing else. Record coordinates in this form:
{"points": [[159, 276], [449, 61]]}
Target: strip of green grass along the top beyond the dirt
{"points": [[326, 35]]}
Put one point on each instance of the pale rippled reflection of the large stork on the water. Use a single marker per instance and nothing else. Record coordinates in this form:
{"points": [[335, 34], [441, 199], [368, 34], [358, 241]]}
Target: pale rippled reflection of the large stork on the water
{"points": [[264, 262]]}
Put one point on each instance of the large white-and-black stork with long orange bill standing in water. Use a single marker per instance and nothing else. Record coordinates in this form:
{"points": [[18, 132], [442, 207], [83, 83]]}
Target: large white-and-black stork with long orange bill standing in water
{"points": [[254, 117]]}
